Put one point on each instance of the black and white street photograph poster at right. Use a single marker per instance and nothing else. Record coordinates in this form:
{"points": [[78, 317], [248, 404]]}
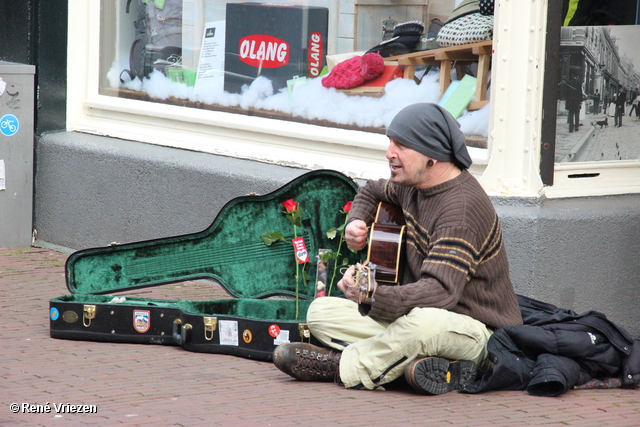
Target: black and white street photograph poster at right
{"points": [[598, 115]]}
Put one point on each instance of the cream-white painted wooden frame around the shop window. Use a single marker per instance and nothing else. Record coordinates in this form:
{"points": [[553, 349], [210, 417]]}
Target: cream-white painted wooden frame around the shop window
{"points": [[511, 168]]}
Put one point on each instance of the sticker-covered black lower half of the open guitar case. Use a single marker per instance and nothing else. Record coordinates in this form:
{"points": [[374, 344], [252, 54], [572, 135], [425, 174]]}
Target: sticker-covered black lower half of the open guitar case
{"points": [[141, 321]]}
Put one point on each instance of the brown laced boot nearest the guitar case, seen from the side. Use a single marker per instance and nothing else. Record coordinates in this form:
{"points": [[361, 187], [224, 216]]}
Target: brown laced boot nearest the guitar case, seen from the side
{"points": [[307, 362]]}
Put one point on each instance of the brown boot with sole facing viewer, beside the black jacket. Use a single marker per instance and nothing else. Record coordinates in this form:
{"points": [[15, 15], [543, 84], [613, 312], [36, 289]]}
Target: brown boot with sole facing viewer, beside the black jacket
{"points": [[435, 375]]}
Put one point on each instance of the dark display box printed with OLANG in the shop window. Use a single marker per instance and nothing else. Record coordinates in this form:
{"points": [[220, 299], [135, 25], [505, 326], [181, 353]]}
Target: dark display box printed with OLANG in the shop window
{"points": [[276, 41]]}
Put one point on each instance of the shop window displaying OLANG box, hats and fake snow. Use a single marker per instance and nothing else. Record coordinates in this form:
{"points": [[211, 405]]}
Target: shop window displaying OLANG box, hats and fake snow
{"points": [[269, 59]]}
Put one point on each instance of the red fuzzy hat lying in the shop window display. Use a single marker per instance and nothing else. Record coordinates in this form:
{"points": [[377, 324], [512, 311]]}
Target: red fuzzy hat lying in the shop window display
{"points": [[355, 71]]}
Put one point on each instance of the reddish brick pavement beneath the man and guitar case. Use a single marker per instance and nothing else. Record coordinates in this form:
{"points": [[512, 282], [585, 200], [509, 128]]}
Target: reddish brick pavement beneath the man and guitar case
{"points": [[136, 384]]}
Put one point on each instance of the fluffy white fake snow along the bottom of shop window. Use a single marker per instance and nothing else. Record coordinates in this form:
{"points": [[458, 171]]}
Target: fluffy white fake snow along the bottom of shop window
{"points": [[312, 101]]}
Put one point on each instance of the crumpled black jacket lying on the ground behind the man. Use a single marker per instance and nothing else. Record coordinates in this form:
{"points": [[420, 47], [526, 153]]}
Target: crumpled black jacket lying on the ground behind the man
{"points": [[557, 349]]}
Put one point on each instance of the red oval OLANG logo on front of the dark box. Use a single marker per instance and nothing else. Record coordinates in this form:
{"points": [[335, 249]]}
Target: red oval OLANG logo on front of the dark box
{"points": [[261, 50]]}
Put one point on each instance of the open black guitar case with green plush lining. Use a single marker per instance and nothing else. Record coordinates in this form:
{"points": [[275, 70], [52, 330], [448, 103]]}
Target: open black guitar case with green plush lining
{"points": [[231, 252]]}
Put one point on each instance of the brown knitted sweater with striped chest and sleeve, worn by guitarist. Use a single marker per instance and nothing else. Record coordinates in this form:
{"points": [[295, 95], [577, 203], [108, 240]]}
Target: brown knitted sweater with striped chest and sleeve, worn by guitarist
{"points": [[455, 256]]}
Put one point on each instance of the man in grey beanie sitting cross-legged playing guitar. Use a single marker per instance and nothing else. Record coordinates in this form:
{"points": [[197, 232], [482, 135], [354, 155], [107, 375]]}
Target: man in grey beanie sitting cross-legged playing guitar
{"points": [[455, 289]]}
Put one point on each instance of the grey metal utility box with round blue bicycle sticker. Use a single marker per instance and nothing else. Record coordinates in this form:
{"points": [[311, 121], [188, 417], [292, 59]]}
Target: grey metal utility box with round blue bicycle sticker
{"points": [[16, 154]]}
